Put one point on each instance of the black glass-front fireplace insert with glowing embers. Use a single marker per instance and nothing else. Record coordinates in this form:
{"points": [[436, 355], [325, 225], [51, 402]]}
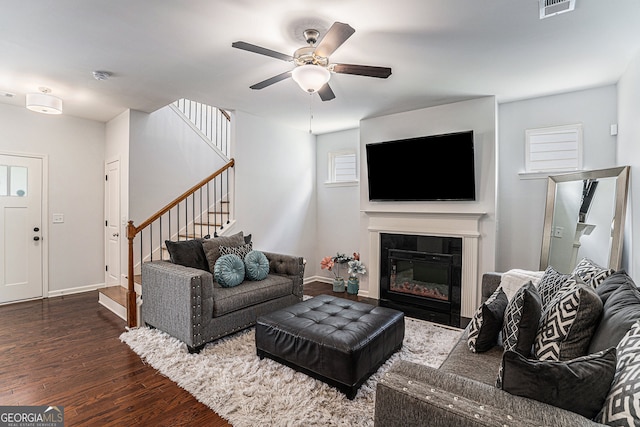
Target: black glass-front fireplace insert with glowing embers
{"points": [[421, 275]]}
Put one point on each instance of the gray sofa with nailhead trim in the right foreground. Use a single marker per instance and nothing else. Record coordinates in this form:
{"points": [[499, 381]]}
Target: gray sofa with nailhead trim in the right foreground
{"points": [[462, 391]]}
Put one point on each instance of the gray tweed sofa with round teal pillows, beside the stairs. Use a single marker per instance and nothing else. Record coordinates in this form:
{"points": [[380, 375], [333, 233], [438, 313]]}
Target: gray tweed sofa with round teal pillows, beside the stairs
{"points": [[189, 305]]}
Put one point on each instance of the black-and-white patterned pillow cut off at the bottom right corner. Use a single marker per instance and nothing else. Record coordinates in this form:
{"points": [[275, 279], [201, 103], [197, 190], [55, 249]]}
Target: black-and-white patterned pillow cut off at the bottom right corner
{"points": [[621, 406]]}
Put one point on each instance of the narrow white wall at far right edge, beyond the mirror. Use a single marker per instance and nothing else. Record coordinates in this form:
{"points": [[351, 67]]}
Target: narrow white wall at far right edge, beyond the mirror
{"points": [[628, 153]]}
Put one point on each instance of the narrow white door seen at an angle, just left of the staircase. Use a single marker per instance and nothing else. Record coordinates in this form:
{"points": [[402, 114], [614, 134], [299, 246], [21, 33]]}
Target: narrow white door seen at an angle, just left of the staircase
{"points": [[112, 222]]}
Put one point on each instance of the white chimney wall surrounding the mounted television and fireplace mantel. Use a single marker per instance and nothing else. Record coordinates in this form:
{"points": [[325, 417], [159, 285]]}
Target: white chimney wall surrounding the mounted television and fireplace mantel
{"points": [[478, 115]]}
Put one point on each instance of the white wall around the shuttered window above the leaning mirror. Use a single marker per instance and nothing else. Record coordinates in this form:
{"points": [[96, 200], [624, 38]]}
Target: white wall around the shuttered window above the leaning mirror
{"points": [[521, 202]]}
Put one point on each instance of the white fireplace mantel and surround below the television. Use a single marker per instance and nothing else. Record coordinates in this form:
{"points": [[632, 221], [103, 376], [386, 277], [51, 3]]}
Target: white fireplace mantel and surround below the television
{"points": [[465, 225]]}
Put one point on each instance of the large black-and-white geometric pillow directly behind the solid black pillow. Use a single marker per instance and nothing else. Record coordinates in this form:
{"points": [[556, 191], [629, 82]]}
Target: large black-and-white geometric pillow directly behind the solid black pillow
{"points": [[568, 323]]}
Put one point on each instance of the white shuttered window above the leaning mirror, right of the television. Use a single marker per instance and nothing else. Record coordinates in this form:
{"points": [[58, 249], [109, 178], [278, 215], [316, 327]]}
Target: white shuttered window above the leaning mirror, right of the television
{"points": [[554, 149]]}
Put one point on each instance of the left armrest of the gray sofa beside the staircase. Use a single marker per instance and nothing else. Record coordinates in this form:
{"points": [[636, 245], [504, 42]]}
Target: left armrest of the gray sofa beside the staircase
{"points": [[172, 299]]}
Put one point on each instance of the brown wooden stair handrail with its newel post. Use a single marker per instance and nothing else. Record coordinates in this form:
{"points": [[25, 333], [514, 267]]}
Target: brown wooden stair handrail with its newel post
{"points": [[132, 231]]}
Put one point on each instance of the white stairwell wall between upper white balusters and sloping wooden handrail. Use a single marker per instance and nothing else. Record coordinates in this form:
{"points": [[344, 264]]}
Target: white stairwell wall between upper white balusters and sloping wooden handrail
{"points": [[166, 159]]}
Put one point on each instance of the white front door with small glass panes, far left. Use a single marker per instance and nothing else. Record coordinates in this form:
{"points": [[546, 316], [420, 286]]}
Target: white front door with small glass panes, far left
{"points": [[20, 228]]}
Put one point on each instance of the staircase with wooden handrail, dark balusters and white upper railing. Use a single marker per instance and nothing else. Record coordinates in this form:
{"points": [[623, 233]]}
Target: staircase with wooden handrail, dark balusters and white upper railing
{"points": [[203, 210]]}
